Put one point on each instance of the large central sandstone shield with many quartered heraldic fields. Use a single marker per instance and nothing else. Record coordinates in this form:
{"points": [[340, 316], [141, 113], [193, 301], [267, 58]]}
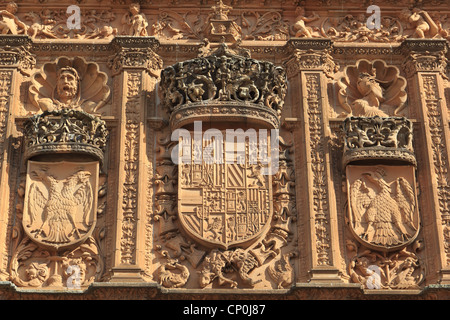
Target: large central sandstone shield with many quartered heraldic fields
{"points": [[223, 203]]}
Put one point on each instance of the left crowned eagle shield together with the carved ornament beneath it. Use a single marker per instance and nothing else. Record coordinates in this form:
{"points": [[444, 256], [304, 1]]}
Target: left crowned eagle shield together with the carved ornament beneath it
{"points": [[56, 243]]}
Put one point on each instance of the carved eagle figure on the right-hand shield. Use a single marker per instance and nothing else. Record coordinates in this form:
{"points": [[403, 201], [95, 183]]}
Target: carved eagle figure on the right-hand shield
{"points": [[383, 213]]}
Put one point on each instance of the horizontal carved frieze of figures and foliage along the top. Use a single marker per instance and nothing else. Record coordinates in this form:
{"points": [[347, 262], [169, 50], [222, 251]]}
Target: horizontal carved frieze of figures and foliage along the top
{"points": [[221, 20]]}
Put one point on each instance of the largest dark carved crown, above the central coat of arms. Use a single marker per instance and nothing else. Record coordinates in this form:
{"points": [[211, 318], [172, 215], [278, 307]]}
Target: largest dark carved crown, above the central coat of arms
{"points": [[223, 86]]}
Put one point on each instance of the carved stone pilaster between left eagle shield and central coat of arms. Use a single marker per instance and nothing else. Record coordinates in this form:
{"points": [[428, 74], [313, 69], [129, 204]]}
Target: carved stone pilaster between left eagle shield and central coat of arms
{"points": [[136, 68]]}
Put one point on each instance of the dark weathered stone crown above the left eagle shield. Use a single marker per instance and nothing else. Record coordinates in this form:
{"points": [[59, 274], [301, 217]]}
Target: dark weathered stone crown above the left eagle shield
{"points": [[65, 131]]}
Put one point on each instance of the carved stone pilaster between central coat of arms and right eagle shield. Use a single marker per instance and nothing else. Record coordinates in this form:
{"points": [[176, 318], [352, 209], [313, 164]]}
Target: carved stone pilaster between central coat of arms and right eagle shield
{"points": [[307, 67]]}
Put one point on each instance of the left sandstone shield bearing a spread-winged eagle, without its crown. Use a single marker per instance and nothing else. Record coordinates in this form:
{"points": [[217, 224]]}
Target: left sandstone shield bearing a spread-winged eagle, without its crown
{"points": [[60, 202]]}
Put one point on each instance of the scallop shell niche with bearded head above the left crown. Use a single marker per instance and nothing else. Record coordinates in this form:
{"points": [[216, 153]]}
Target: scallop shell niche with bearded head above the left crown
{"points": [[69, 83]]}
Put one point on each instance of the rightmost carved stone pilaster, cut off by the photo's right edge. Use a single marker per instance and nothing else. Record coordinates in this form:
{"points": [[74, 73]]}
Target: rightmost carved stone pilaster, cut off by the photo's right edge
{"points": [[424, 67]]}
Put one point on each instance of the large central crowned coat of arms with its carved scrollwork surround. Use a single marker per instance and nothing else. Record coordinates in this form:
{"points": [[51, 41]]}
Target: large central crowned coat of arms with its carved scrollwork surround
{"points": [[223, 224]]}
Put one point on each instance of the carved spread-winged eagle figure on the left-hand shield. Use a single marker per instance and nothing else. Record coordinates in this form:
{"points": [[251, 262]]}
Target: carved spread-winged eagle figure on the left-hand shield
{"points": [[55, 213]]}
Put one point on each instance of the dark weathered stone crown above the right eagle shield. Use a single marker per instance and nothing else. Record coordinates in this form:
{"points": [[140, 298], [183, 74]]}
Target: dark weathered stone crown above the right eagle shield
{"points": [[378, 138]]}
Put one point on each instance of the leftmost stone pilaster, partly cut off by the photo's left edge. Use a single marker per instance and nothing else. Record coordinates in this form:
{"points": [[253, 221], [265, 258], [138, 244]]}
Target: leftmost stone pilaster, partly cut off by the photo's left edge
{"points": [[15, 63]]}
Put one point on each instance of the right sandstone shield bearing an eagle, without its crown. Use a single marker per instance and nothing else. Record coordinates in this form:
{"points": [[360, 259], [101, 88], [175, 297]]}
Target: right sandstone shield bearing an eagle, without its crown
{"points": [[382, 209]]}
